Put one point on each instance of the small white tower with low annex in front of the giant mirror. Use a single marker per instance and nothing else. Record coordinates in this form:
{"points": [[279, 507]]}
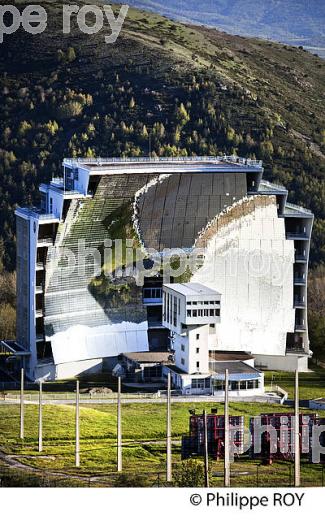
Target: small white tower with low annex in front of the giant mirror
{"points": [[192, 314]]}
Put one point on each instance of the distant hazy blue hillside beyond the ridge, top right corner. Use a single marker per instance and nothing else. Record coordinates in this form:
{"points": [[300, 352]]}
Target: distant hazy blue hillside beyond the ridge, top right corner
{"points": [[294, 22]]}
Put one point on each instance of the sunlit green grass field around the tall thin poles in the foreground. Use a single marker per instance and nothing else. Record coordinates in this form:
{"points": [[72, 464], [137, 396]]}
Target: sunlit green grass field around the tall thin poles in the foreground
{"points": [[143, 443]]}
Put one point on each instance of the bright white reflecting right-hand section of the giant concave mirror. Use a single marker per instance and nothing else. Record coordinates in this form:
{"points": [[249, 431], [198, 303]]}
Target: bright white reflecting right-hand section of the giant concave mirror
{"points": [[250, 262]]}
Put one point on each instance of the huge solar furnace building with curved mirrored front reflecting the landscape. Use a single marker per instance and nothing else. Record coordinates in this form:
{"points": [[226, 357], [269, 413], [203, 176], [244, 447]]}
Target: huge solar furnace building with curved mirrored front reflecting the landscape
{"points": [[79, 302]]}
